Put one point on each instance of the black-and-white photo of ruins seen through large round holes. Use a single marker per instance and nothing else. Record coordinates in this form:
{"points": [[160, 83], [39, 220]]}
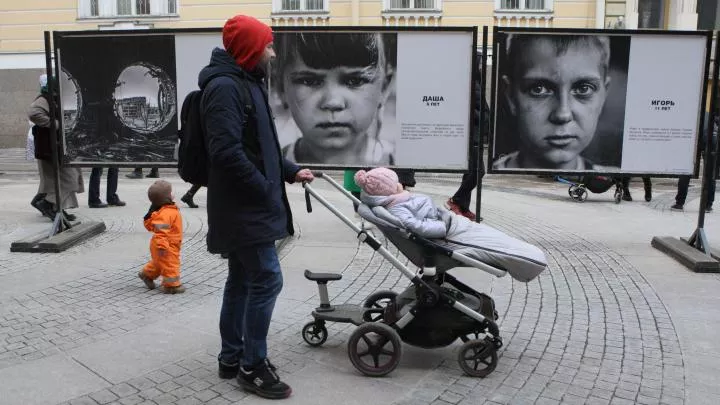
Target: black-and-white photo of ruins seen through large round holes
{"points": [[119, 98]]}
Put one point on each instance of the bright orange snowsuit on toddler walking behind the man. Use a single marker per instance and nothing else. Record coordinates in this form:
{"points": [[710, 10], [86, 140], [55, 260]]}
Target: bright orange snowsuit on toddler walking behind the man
{"points": [[166, 225]]}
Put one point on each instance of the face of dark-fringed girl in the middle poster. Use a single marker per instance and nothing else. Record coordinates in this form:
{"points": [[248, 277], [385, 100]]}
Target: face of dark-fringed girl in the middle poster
{"points": [[333, 108]]}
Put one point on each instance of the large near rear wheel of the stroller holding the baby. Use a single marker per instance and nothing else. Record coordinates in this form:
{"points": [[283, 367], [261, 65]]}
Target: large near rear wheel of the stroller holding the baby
{"points": [[374, 349]]}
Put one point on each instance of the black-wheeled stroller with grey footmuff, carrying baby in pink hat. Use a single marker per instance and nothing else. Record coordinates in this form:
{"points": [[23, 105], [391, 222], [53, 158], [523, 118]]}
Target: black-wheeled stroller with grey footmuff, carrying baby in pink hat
{"points": [[435, 310]]}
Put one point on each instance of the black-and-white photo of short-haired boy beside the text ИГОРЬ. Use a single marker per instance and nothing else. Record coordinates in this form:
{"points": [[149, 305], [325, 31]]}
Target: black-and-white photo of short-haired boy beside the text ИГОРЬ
{"points": [[560, 102]]}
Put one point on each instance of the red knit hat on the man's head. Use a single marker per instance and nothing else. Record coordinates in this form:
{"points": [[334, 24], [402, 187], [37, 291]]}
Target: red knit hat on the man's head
{"points": [[245, 39]]}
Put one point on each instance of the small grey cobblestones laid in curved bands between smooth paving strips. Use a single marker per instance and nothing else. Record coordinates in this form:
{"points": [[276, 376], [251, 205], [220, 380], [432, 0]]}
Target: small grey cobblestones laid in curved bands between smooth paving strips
{"points": [[589, 330]]}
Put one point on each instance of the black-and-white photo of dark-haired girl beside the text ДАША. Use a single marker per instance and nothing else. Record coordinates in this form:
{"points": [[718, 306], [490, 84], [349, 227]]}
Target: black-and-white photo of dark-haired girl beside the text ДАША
{"points": [[330, 93]]}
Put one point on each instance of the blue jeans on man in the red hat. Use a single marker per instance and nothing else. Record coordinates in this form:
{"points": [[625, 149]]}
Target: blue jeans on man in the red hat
{"points": [[254, 281]]}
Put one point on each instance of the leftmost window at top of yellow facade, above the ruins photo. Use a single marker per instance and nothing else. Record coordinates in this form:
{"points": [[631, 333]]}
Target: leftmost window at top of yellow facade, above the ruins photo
{"points": [[124, 8]]}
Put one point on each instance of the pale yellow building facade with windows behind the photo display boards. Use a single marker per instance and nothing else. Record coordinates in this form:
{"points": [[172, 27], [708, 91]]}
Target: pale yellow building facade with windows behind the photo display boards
{"points": [[22, 25]]}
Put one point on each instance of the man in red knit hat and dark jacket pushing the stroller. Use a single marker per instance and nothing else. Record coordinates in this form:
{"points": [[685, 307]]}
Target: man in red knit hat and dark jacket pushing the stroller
{"points": [[247, 205]]}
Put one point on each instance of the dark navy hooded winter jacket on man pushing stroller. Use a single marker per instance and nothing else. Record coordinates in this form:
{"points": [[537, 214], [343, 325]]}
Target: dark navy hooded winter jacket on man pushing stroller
{"points": [[246, 204]]}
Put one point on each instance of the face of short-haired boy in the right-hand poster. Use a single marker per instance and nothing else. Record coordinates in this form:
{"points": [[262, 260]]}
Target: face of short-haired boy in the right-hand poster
{"points": [[557, 101]]}
